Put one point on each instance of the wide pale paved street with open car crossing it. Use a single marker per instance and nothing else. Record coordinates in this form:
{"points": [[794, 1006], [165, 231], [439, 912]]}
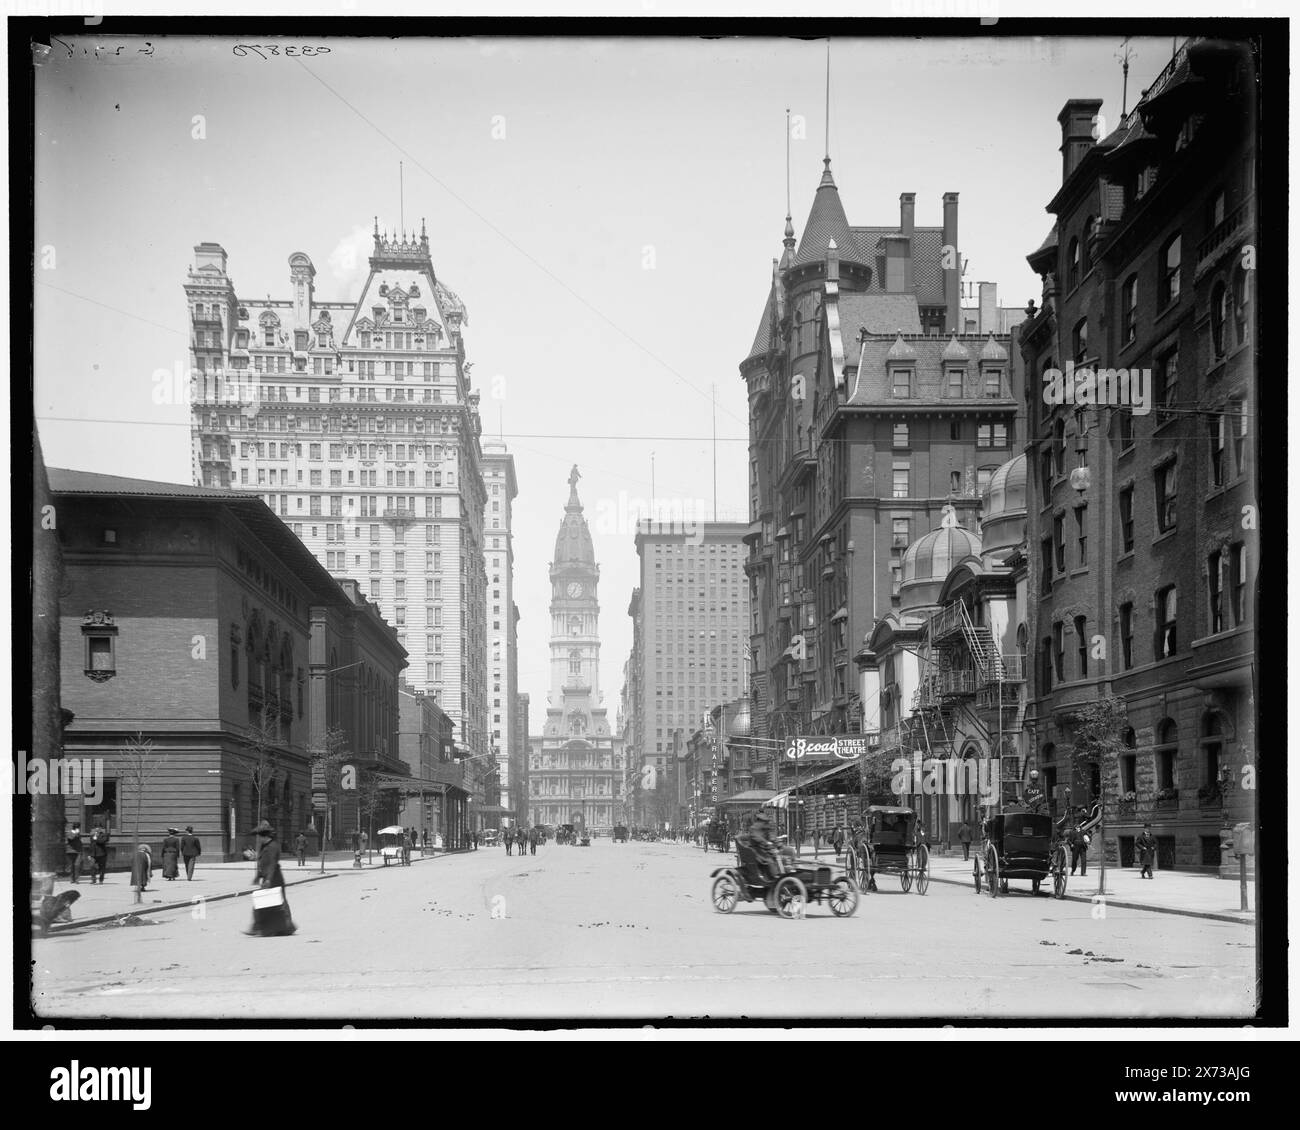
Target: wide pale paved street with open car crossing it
{"points": [[627, 930]]}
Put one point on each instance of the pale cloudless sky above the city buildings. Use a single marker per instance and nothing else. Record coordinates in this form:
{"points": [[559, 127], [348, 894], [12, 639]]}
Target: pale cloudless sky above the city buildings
{"points": [[616, 153]]}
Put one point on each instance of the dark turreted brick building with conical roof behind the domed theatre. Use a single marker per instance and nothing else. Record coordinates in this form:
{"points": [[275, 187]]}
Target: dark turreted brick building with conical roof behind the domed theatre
{"points": [[872, 410]]}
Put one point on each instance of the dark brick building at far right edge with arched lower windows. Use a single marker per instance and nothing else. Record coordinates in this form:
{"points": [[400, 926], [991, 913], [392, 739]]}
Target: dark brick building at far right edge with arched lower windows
{"points": [[1143, 549]]}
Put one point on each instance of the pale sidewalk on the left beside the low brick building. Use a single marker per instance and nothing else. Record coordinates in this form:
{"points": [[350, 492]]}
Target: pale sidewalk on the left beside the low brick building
{"points": [[115, 898]]}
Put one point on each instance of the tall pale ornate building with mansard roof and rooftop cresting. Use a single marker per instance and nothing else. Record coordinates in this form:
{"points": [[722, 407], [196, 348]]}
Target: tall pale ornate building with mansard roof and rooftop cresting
{"points": [[358, 423]]}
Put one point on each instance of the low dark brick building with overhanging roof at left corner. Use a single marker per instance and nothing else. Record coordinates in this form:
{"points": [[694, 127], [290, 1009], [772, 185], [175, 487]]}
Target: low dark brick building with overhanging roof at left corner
{"points": [[193, 617]]}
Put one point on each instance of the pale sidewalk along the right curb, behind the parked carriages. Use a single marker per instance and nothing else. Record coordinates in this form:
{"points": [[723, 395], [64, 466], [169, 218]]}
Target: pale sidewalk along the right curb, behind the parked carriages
{"points": [[1171, 893]]}
